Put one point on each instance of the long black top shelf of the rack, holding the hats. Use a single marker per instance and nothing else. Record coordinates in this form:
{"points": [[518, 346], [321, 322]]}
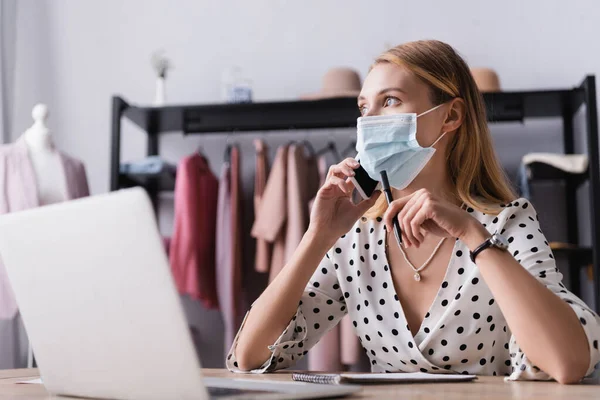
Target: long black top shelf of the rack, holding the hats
{"points": [[328, 113]]}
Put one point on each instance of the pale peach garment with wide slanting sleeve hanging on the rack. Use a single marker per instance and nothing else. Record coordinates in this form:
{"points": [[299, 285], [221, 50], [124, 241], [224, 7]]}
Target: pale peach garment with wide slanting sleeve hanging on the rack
{"points": [[269, 222]]}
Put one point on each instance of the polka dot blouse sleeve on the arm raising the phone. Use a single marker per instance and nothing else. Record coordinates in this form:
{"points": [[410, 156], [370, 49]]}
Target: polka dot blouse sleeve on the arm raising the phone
{"points": [[321, 307]]}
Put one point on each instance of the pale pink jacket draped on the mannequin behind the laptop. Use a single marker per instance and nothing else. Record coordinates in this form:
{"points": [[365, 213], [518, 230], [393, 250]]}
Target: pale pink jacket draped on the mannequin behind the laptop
{"points": [[18, 191]]}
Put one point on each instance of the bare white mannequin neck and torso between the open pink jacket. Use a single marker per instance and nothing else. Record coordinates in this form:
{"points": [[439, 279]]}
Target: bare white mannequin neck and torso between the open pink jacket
{"points": [[46, 161]]}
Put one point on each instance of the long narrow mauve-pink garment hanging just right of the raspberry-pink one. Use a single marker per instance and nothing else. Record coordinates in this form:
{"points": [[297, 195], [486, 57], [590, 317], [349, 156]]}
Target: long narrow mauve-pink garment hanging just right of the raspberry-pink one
{"points": [[229, 247]]}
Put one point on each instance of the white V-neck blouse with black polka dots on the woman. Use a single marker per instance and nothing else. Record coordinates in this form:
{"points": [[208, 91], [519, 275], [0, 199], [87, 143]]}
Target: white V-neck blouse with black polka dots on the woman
{"points": [[464, 330]]}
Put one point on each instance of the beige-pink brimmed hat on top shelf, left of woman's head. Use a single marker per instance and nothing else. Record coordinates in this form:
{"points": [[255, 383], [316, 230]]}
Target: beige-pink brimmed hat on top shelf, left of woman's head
{"points": [[337, 82]]}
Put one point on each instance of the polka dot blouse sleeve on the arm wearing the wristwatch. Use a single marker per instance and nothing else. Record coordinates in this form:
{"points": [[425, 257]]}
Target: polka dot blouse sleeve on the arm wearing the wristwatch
{"points": [[531, 249]]}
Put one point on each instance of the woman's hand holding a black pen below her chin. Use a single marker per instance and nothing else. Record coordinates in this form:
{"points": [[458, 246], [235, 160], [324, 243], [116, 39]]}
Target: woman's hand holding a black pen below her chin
{"points": [[423, 212]]}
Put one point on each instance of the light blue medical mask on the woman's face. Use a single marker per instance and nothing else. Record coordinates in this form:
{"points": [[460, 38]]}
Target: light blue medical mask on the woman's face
{"points": [[389, 143]]}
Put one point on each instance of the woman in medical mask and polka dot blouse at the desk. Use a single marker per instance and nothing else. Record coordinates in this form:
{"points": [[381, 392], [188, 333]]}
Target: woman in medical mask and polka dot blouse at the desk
{"points": [[425, 305]]}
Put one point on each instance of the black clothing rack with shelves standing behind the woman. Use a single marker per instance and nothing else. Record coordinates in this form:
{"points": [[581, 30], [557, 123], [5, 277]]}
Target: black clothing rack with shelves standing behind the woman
{"points": [[515, 106]]}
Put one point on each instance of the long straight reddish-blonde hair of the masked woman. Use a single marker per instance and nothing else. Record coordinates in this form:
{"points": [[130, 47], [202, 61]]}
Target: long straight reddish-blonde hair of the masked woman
{"points": [[475, 171]]}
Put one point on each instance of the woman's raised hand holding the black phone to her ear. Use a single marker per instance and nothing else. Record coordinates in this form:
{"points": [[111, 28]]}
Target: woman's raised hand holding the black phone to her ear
{"points": [[333, 212]]}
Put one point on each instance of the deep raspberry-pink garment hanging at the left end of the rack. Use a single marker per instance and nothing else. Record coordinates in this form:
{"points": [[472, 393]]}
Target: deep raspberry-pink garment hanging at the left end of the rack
{"points": [[192, 250]]}
